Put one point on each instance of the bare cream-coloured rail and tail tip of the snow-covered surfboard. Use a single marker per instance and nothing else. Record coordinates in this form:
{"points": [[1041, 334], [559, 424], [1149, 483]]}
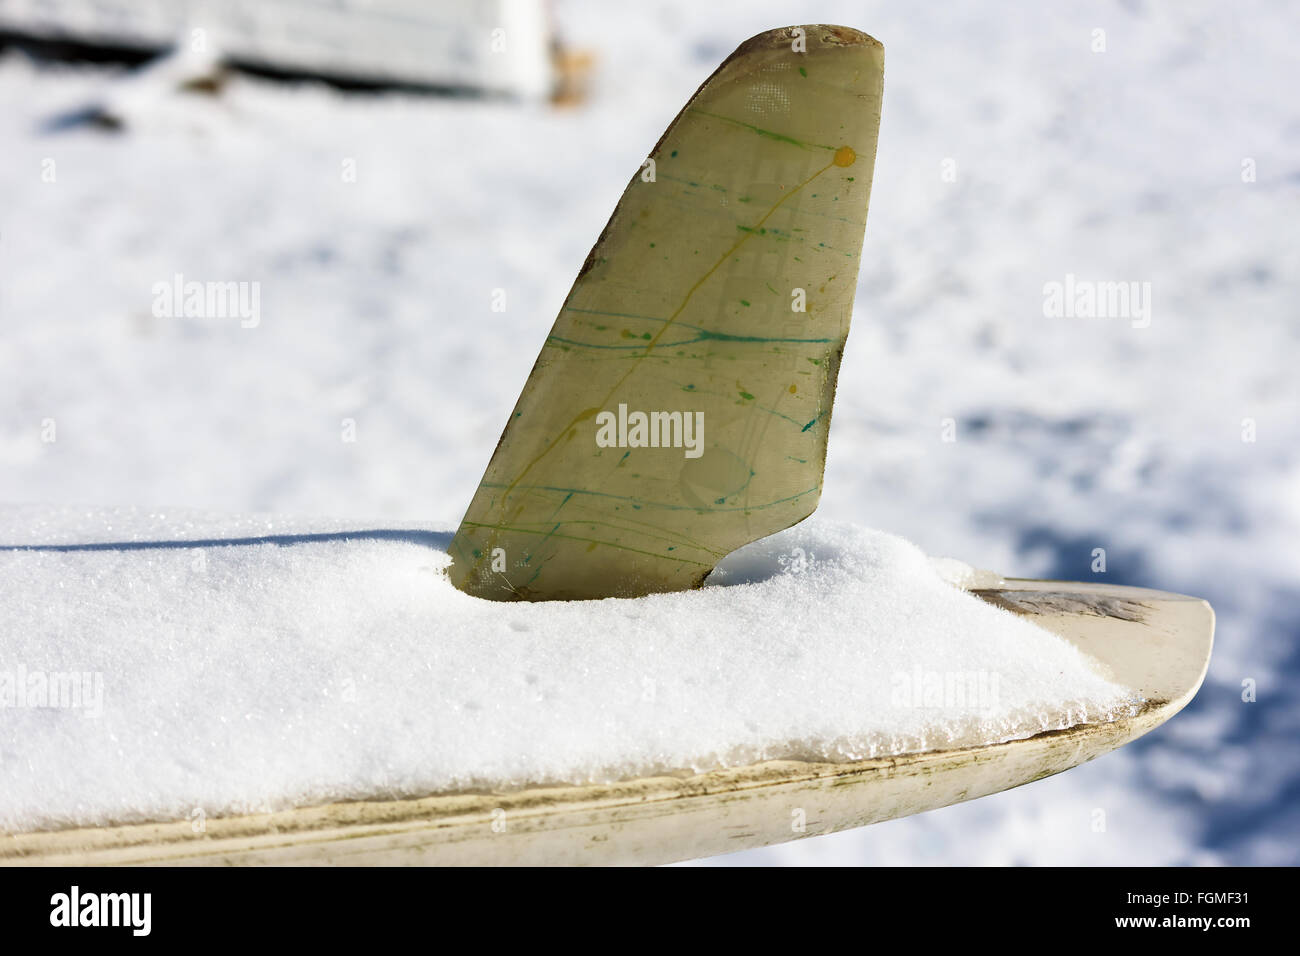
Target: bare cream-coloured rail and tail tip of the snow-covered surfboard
{"points": [[1156, 643]]}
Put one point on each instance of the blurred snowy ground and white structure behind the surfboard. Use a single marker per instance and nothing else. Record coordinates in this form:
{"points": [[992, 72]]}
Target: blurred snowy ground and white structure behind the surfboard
{"points": [[387, 172]]}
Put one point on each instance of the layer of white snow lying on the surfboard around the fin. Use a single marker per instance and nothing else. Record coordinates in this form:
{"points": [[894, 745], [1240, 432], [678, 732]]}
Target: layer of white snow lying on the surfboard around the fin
{"points": [[249, 664]]}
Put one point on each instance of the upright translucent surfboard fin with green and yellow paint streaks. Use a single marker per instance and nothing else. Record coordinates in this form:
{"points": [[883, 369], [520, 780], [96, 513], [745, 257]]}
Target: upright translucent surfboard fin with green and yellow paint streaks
{"points": [[681, 405]]}
